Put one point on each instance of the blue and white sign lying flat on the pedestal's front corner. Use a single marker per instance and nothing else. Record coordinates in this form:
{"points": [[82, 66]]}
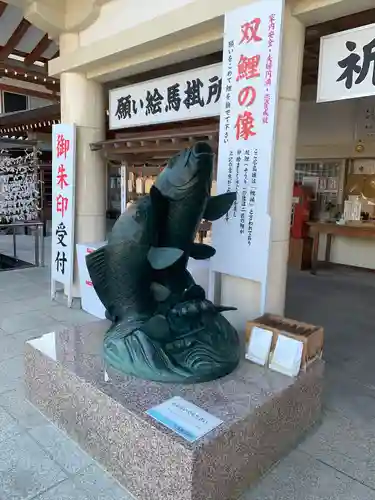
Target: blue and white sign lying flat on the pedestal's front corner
{"points": [[184, 418]]}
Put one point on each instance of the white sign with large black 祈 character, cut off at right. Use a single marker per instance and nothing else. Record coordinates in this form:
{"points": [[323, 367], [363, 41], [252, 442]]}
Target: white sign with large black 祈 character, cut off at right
{"points": [[347, 64]]}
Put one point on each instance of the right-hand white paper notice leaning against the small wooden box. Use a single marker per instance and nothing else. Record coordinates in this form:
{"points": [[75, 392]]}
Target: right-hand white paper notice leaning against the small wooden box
{"points": [[287, 356]]}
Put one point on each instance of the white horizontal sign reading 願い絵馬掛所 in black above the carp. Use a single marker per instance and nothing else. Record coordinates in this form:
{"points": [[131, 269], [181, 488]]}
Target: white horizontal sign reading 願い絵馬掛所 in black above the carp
{"points": [[184, 96]]}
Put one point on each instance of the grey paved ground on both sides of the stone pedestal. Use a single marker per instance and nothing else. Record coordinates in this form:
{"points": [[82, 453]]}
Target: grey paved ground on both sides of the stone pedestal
{"points": [[336, 462]]}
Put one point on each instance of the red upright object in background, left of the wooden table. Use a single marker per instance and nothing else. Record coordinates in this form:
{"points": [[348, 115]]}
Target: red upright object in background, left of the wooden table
{"points": [[301, 206]]}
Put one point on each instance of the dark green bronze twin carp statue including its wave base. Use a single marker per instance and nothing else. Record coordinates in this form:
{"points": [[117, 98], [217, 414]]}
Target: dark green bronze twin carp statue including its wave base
{"points": [[163, 327]]}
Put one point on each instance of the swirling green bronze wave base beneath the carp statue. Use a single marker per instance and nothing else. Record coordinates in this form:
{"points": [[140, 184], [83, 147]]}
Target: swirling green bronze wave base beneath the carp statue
{"points": [[199, 350]]}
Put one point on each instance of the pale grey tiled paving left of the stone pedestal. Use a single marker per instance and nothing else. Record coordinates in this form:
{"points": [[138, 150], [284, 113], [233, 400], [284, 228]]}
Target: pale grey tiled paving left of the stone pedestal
{"points": [[37, 460]]}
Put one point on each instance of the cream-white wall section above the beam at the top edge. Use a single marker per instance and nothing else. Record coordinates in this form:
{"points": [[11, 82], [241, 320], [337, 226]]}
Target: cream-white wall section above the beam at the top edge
{"points": [[119, 15]]}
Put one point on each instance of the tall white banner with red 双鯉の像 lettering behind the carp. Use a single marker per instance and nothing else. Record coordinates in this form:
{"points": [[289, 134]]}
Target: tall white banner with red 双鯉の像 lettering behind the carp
{"points": [[251, 53]]}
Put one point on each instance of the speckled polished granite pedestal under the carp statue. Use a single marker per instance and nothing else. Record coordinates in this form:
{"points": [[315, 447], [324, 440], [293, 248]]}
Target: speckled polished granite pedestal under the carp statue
{"points": [[264, 415]]}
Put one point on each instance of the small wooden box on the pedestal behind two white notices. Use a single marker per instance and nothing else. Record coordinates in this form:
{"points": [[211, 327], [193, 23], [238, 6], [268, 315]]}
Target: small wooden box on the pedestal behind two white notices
{"points": [[312, 336]]}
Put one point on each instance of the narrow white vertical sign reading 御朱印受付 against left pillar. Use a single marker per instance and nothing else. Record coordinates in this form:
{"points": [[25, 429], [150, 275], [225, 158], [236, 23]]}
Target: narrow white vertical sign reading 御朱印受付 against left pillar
{"points": [[63, 206]]}
